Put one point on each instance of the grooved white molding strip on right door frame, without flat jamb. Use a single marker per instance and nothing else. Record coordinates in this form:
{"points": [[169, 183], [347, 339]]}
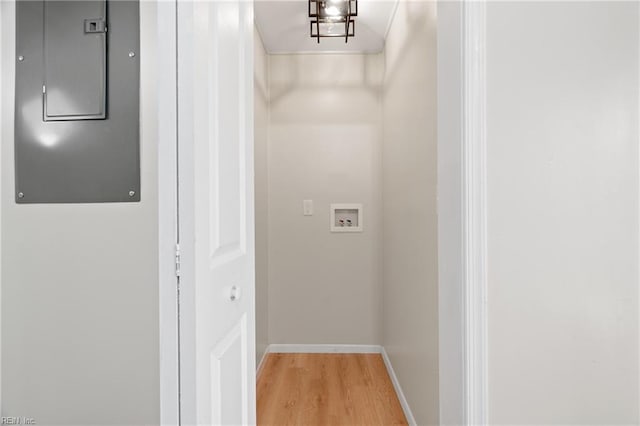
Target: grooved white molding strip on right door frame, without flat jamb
{"points": [[475, 199]]}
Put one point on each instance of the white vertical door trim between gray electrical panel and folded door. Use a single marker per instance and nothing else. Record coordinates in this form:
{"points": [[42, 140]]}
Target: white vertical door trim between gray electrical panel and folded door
{"points": [[167, 212]]}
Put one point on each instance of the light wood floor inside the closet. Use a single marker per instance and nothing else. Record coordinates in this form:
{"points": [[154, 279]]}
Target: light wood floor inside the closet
{"points": [[327, 389]]}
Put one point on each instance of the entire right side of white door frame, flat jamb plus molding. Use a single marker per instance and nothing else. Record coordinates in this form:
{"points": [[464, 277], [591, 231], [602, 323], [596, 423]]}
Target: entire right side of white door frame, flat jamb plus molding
{"points": [[462, 223]]}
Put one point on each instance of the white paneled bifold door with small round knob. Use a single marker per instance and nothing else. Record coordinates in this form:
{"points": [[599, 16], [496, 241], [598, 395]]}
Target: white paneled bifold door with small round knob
{"points": [[215, 121]]}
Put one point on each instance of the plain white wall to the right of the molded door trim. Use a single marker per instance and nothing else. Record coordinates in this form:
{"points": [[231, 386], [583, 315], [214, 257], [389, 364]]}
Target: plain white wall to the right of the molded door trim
{"points": [[563, 212]]}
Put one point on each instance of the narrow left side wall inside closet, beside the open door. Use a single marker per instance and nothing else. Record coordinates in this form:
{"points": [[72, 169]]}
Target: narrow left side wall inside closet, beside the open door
{"points": [[261, 167]]}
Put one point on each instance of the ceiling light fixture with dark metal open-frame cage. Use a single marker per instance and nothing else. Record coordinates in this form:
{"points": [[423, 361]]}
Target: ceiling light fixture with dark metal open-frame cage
{"points": [[333, 18]]}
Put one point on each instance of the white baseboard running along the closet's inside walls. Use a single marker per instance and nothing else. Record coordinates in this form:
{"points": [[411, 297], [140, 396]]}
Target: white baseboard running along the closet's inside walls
{"points": [[346, 349]]}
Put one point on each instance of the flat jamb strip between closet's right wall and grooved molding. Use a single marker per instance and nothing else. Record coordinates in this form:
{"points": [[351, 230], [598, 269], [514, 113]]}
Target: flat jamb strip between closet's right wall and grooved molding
{"points": [[451, 337]]}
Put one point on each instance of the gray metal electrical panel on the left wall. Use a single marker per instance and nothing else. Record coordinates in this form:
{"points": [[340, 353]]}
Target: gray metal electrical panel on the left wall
{"points": [[77, 101]]}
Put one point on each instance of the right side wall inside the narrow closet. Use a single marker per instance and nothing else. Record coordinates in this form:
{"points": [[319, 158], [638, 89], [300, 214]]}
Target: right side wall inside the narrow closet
{"points": [[410, 238]]}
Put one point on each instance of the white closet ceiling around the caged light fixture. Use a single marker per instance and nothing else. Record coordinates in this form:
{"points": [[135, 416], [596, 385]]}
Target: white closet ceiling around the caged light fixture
{"points": [[284, 27]]}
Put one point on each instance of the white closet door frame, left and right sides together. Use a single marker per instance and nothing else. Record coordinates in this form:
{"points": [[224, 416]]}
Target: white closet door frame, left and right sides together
{"points": [[462, 212]]}
